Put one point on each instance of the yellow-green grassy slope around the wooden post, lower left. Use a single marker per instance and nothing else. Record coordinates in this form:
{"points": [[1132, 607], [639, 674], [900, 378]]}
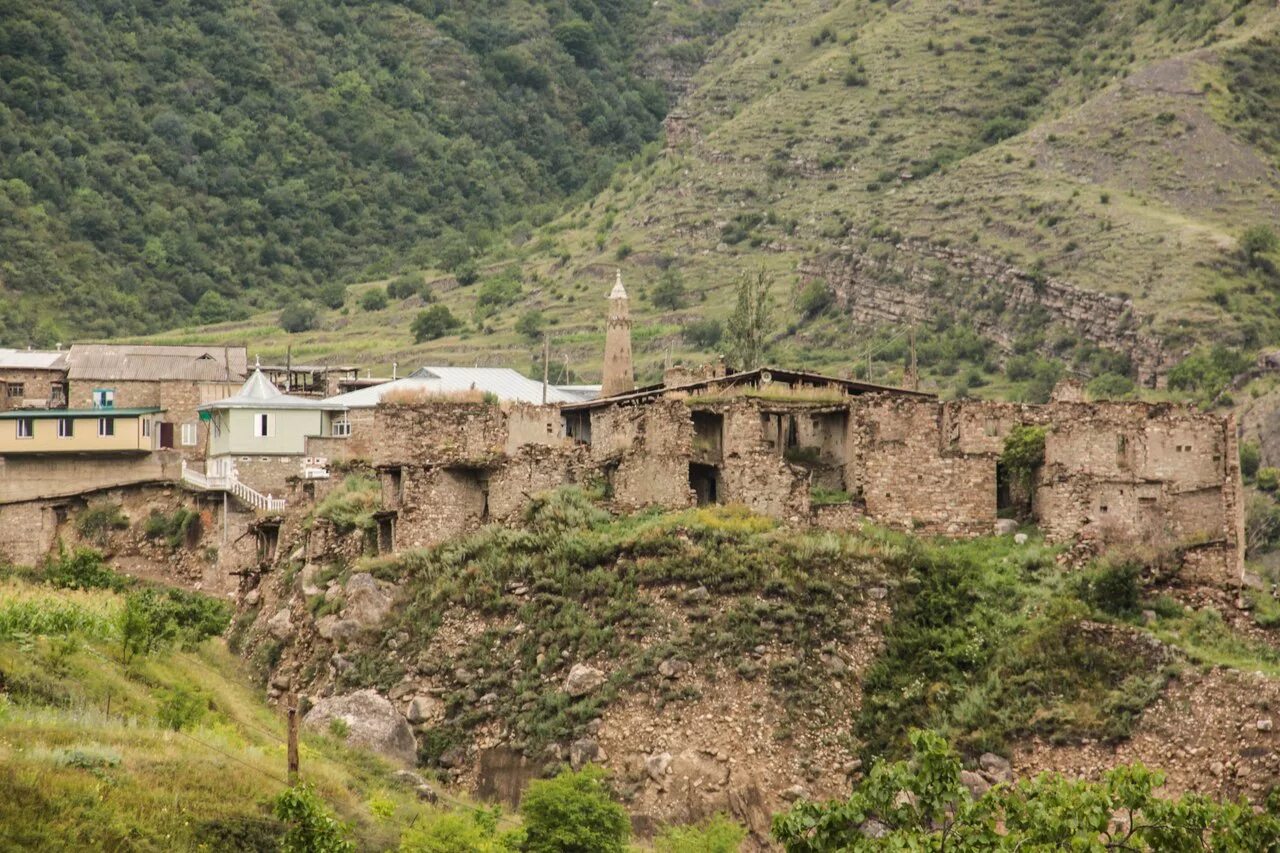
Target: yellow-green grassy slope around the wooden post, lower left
{"points": [[175, 750]]}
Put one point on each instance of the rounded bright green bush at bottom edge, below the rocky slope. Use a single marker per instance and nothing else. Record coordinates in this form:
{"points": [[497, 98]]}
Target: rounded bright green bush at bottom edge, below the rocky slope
{"points": [[574, 814]]}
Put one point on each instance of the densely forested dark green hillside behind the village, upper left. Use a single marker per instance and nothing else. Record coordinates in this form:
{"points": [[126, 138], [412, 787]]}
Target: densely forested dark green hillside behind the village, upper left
{"points": [[190, 161]]}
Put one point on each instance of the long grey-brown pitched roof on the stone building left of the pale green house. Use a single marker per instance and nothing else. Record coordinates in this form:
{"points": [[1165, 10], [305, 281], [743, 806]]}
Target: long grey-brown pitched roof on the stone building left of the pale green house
{"points": [[143, 363]]}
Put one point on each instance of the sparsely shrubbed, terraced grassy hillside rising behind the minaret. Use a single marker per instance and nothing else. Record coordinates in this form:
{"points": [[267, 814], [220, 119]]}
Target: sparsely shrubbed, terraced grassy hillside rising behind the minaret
{"points": [[1121, 148]]}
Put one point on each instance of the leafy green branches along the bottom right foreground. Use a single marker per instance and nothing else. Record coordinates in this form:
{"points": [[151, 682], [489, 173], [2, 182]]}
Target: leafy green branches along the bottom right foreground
{"points": [[1046, 814]]}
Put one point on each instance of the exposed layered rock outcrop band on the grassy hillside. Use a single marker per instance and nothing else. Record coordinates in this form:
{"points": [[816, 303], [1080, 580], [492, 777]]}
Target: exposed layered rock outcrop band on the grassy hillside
{"points": [[913, 281]]}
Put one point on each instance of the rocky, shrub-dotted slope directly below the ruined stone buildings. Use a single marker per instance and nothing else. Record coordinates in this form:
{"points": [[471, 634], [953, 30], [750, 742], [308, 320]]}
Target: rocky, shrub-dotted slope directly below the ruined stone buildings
{"points": [[715, 662]]}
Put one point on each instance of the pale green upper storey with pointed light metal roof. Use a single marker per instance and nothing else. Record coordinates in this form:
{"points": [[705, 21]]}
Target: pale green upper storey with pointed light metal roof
{"points": [[260, 421]]}
